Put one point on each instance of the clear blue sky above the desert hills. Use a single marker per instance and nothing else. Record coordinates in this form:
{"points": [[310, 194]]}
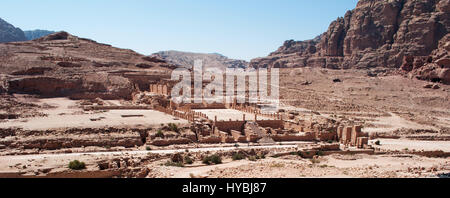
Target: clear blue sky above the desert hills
{"points": [[242, 29]]}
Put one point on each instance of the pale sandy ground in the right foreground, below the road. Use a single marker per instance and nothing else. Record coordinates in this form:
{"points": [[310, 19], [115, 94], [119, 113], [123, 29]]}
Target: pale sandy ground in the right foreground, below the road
{"points": [[328, 166]]}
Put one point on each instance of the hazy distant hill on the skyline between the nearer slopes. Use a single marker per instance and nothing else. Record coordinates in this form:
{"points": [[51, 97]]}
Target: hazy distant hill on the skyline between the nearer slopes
{"points": [[186, 59]]}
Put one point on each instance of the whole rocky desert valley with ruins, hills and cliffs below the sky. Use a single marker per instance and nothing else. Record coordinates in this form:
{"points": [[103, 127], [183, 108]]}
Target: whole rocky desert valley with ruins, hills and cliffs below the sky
{"points": [[369, 98]]}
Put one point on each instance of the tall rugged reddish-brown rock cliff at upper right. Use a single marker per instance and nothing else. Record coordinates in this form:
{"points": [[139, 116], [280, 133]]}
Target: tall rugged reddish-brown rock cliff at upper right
{"points": [[375, 34]]}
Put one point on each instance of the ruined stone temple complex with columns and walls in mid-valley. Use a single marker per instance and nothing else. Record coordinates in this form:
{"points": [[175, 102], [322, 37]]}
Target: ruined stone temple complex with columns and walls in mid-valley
{"points": [[273, 128]]}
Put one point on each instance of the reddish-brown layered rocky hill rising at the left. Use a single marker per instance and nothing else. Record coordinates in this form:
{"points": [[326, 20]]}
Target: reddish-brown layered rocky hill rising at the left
{"points": [[61, 64]]}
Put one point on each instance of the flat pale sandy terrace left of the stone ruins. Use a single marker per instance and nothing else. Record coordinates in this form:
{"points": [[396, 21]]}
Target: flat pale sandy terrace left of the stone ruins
{"points": [[67, 115]]}
